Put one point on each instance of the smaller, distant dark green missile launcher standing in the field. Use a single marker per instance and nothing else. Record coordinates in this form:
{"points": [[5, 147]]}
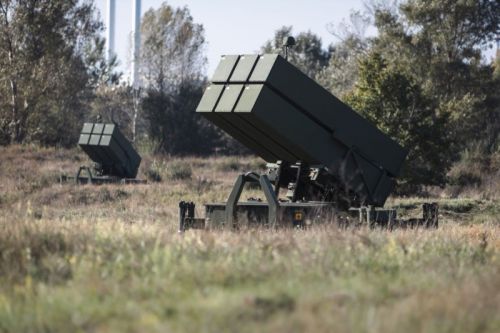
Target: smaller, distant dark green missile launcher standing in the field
{"points": [[115, 159]]}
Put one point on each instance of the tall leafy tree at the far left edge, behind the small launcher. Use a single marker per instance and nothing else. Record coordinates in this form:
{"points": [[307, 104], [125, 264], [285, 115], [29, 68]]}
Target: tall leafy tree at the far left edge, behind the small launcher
{"points": [[45, 75]]}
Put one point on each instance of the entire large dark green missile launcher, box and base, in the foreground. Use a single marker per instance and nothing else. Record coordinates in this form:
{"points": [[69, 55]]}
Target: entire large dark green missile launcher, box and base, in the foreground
{"points": [[333, 163]]}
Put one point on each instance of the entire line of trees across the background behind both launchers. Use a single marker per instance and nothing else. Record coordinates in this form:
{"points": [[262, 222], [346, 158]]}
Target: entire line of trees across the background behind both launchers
{"points": [[423, 79]]}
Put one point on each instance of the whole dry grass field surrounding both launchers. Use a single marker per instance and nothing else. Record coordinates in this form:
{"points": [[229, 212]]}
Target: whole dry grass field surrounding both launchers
{"points": [[109, 259]]}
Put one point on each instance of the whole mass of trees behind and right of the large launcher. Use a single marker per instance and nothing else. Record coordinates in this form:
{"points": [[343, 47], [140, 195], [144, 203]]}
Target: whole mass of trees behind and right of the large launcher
{"points": [[436, 97]]}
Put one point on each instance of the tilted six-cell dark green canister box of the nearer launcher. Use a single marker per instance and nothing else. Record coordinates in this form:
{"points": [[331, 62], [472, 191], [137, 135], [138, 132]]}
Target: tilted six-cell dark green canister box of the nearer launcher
{"points": [[282, 115]]}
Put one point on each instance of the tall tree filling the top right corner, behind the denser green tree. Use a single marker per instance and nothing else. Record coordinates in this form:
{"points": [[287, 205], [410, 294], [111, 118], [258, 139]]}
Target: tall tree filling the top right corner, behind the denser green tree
{"points": [[440, 43]]}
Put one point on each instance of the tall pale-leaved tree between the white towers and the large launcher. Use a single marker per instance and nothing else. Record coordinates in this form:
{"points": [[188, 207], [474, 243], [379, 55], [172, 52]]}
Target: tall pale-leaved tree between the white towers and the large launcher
{"points": [[172, 63]]}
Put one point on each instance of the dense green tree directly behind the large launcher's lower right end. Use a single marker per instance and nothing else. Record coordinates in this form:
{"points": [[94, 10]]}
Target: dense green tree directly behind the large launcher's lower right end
{"points": [[395, 103]]}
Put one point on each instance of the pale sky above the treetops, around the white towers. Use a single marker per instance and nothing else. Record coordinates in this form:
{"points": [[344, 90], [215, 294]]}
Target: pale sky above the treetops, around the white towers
{"points": [[239, 27]]}
